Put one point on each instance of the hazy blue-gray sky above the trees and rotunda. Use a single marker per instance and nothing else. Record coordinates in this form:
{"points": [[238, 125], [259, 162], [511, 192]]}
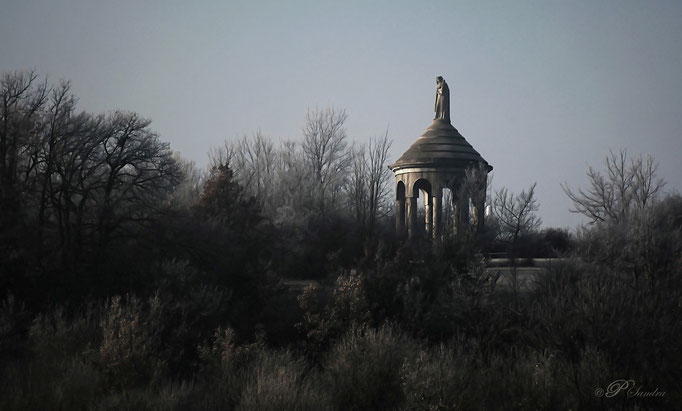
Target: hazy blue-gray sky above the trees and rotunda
{"points": [[539, 88]]}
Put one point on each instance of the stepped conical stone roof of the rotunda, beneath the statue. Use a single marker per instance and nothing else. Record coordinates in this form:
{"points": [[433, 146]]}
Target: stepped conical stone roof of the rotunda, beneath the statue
{"points": [[440, 145]]}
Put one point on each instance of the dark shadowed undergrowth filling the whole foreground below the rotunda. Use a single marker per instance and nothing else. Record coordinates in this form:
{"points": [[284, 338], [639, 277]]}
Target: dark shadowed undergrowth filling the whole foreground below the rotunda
{"points": [[395, 333]]}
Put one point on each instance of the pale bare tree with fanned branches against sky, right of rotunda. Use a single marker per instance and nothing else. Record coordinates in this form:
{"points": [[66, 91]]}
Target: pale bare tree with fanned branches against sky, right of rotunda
{"points": [[627, 187]]}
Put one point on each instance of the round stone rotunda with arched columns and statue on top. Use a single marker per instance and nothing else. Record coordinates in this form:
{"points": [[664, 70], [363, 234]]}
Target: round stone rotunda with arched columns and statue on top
{"points": [[438, 160]]}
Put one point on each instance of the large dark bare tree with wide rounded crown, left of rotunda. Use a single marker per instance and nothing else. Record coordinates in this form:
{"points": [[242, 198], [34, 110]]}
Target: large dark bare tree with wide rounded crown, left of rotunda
{"points": [[109, 174]]}
